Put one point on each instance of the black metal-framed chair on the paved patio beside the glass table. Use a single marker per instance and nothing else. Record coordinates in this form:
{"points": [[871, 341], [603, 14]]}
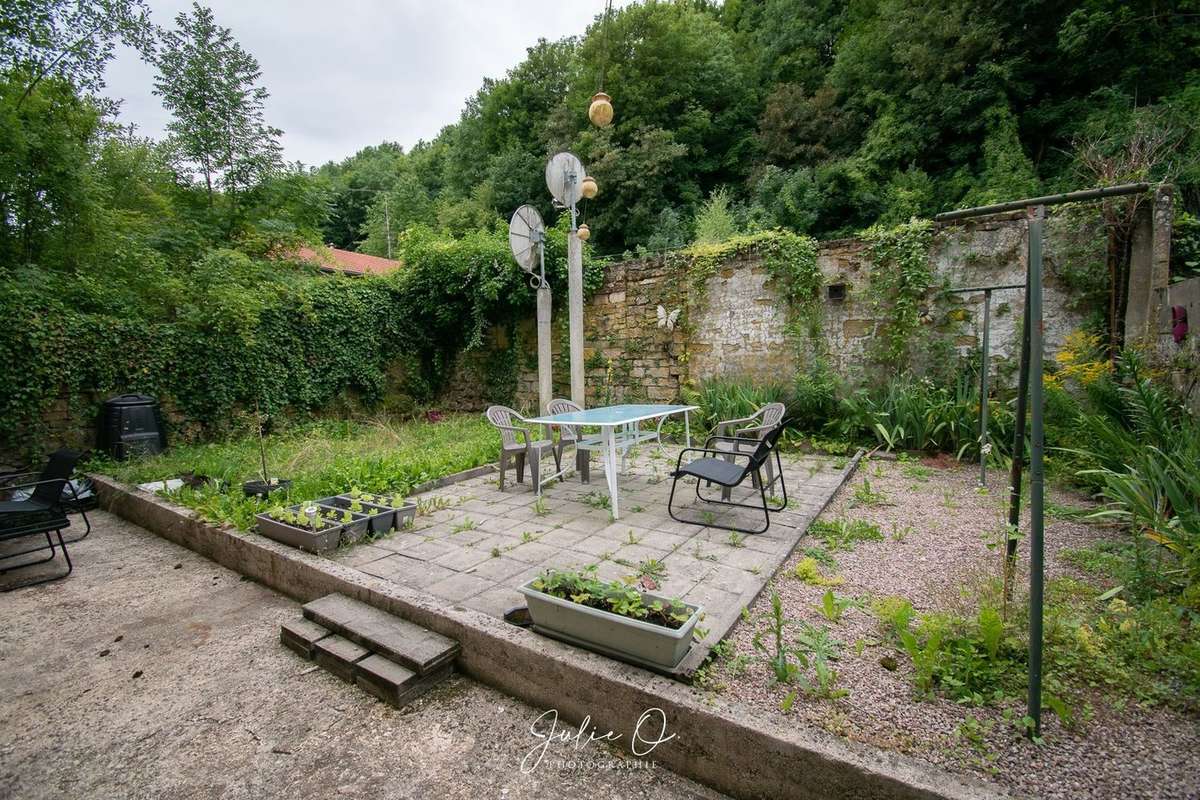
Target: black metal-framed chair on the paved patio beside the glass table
{"points": [[721, 467]]}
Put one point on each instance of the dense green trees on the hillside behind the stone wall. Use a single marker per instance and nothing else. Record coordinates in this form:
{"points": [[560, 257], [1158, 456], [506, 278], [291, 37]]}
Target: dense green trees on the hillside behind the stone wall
{"points": [[818, 116]]}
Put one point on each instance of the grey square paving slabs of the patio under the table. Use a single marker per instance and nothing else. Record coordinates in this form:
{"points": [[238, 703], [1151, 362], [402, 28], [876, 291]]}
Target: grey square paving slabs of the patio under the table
{"points": [[473, 545]]}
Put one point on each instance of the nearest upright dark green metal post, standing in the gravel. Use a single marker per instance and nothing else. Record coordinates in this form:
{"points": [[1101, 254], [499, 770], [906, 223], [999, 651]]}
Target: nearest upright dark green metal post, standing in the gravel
{"points": [[1034, 303]]}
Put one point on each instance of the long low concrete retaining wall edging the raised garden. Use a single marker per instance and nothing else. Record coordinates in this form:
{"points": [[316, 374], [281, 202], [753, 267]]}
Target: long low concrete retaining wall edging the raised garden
{"points": [[719, 744]]}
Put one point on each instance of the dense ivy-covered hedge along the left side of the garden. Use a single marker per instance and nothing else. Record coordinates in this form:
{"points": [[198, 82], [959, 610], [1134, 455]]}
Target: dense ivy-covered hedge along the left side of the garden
{"points": [[235, 332]]}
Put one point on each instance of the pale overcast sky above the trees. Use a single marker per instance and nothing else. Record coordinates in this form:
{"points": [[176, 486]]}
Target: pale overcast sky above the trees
{"points": [[349, 74]]}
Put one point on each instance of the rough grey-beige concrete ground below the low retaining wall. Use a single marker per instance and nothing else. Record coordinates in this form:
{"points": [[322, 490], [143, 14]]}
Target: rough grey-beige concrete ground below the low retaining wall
{"points": [[155, 673]]}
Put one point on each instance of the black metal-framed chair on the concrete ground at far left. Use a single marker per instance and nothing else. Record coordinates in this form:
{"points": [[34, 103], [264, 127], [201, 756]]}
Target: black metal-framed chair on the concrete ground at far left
{"points": [[41, 514]]}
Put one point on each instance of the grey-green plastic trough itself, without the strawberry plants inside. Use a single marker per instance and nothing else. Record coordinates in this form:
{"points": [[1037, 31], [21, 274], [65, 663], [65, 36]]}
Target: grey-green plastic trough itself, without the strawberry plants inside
{"points": [[613, 635]]}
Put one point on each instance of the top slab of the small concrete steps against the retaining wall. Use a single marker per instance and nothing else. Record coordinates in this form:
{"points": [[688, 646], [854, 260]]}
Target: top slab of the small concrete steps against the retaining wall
{"points": [[410, 646]]}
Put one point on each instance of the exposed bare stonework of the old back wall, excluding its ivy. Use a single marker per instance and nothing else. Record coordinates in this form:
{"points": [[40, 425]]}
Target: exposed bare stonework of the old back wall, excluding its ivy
{"points": [[740, 328]]}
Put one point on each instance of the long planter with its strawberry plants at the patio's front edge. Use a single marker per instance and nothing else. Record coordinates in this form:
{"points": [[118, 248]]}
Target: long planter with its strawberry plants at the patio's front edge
{"points": [[611, 618]]}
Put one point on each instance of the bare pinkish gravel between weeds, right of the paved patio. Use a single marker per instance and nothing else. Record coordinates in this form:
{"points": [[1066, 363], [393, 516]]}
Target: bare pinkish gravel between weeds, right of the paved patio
{"points": [[940, 562]]}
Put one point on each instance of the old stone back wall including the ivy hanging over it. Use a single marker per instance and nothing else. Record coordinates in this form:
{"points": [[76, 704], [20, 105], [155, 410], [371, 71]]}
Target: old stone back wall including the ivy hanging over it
{"points": [[760, 308]]}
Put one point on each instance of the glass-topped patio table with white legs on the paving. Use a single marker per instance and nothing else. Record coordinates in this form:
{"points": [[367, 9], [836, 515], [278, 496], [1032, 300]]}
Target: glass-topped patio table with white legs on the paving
{"points": [[620, 430]]}
